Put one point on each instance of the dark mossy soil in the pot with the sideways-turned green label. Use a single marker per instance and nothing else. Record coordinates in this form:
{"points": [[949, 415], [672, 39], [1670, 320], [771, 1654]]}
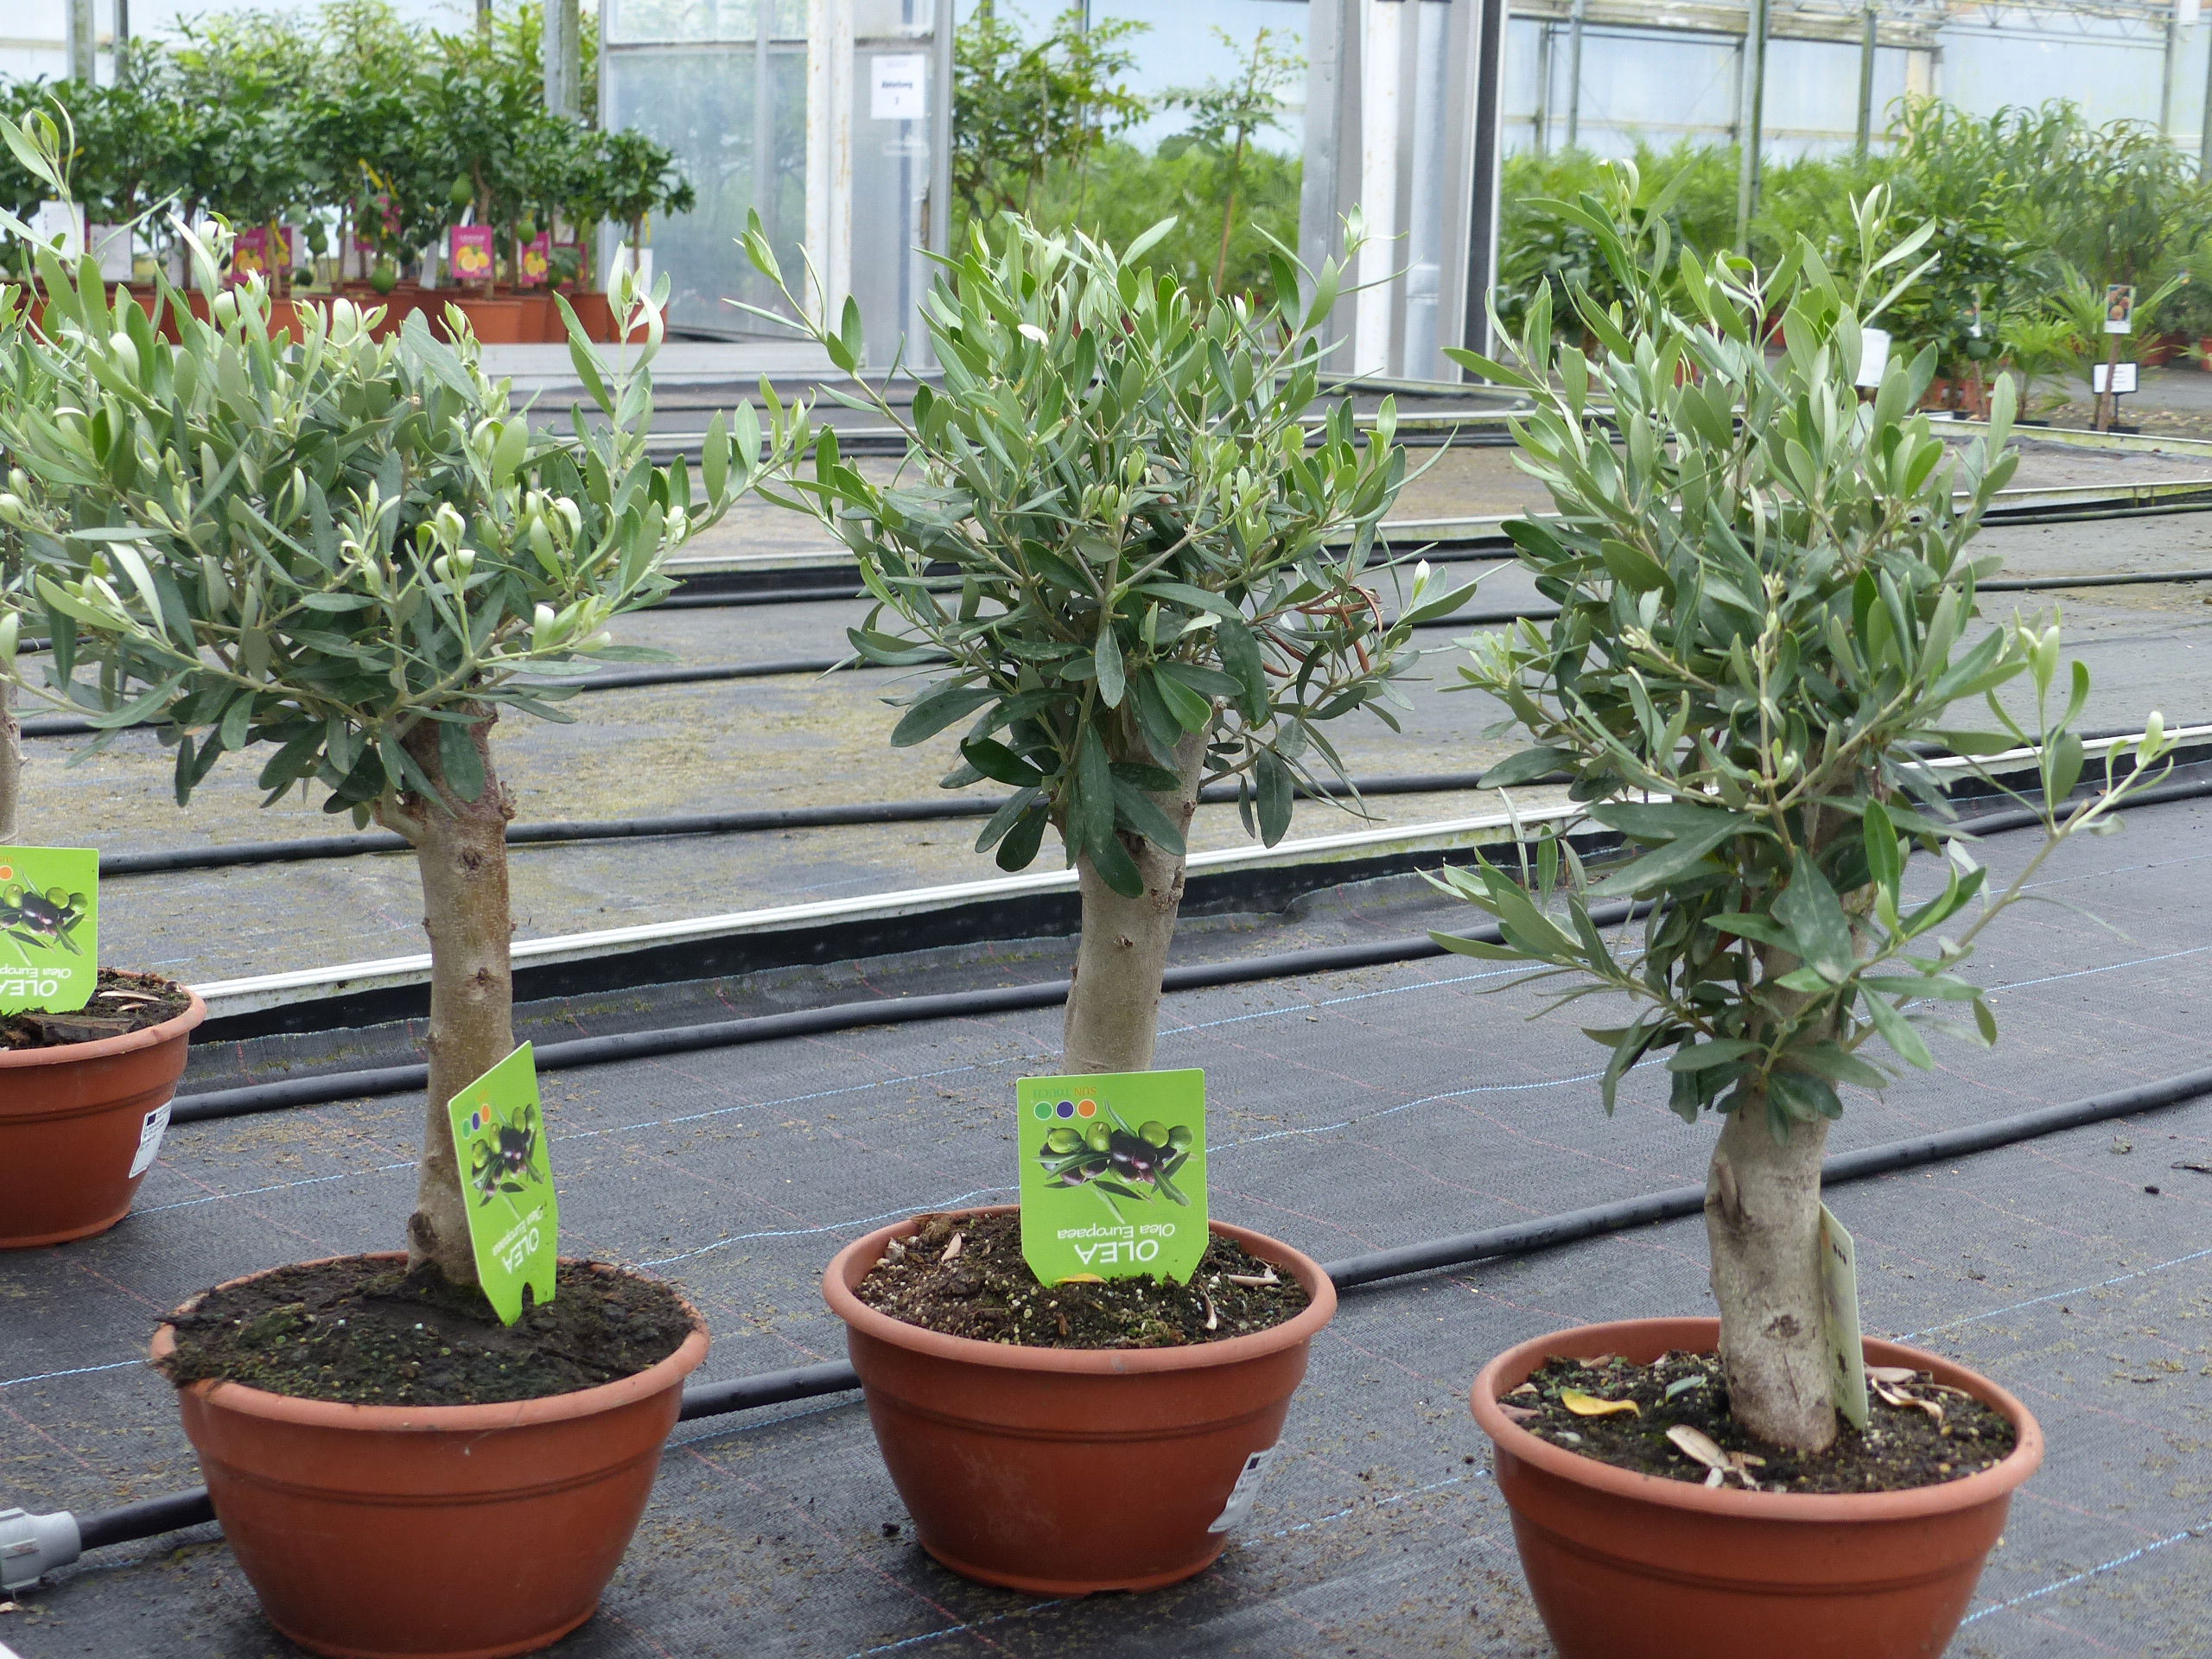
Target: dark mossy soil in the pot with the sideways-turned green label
{"points": [[371, 1333]]}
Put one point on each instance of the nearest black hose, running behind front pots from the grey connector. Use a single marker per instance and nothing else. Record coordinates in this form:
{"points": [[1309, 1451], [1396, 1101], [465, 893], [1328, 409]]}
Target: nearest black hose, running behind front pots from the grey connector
{"points": [[1361, 1273]]}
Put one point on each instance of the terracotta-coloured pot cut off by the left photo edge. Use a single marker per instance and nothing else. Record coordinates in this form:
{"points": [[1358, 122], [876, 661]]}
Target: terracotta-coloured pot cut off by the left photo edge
{"points": [[81, 1125]]}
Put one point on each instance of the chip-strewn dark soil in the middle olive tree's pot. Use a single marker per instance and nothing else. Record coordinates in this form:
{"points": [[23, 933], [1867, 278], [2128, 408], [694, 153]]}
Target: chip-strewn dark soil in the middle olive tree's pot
{"points": [[968, 1277]]}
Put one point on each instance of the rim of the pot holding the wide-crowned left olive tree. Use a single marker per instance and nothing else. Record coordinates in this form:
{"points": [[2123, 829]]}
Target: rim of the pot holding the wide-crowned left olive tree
{"points": [[437, 1419]]}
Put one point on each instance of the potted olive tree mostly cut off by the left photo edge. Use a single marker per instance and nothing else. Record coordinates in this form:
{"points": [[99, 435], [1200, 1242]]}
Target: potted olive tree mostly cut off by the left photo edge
{"points": [[83, 1089]]}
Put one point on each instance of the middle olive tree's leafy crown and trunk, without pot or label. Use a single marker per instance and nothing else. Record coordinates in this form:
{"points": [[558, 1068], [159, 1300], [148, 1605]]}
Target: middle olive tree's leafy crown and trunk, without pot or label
{"points": [[1156, 578]]}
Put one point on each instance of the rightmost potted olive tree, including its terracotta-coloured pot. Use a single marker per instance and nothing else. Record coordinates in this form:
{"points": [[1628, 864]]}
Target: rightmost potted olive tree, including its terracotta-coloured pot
{"points": [[1766, 616]]}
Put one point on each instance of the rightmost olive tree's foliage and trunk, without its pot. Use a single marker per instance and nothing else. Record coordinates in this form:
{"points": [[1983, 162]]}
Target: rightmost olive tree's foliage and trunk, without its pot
{"points": [[1766, 612]]}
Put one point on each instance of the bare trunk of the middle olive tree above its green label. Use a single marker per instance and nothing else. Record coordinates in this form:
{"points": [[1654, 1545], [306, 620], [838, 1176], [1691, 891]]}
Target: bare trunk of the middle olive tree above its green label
{"points": [[1114, 1005]]}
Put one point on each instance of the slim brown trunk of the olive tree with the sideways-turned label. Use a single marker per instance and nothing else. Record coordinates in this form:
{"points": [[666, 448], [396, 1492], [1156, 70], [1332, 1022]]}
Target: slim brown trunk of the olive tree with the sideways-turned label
{"points": [[461, 857]]}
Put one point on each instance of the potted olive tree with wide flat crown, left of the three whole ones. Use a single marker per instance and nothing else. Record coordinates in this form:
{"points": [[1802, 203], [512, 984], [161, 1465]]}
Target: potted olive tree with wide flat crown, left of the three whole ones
{"points": [[355, 556]]}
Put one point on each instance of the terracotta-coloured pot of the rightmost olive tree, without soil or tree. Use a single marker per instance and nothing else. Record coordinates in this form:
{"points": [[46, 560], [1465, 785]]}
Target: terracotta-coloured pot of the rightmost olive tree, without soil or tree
{"points": [[1638, 1567]]}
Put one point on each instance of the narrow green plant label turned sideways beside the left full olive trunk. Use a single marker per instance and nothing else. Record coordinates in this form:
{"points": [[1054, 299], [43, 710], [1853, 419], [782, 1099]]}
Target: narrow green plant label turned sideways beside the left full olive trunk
{"points": [[514, 1218]]}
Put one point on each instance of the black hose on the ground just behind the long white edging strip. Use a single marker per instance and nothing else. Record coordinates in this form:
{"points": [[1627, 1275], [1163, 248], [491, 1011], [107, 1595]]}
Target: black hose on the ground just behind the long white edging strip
{"points": [[707, 824]]}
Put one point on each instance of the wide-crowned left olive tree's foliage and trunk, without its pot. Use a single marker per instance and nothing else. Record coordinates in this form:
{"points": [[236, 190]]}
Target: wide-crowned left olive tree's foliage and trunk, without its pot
{"points": [[353, 556]]}
